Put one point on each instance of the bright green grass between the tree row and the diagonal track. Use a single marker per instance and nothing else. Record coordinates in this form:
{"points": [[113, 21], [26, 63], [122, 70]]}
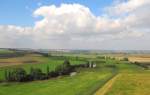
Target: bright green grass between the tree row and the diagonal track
{"points": [[84, 83]]}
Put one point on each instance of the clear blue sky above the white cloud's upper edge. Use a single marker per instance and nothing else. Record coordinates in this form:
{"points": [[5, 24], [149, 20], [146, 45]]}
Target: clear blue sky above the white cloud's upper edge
{"points": [[19, 12]]}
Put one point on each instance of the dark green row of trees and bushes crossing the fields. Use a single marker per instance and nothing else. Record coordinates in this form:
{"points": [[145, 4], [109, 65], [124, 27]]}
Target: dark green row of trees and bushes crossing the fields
{"points": [[20, 74]]}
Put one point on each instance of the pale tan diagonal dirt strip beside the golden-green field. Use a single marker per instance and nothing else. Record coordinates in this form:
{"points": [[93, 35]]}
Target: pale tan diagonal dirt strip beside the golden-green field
{"points": [[106, 87]]}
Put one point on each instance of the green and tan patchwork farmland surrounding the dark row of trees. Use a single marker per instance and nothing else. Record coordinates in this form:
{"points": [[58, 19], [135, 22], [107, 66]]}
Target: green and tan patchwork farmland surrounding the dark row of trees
{"points": [[111, 76]]}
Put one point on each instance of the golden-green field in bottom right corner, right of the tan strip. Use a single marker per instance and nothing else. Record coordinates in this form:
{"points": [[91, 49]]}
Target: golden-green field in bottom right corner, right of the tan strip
{"points": [[131, 84]]}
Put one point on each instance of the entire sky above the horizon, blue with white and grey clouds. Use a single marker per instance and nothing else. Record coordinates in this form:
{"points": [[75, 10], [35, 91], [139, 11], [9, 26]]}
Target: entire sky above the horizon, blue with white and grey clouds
{"points": [[75, 24]]}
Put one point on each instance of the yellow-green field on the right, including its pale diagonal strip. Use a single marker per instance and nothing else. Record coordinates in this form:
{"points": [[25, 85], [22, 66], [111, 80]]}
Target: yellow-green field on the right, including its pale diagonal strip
{"points": [[129, 75]]}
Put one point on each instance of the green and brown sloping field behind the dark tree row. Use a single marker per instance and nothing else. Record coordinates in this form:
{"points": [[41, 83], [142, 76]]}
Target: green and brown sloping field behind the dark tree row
{"points": [[40, 62]]}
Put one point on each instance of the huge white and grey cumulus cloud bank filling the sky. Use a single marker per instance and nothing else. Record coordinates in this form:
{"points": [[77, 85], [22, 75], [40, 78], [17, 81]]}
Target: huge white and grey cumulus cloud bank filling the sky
{"points": [[75, 26]]}
